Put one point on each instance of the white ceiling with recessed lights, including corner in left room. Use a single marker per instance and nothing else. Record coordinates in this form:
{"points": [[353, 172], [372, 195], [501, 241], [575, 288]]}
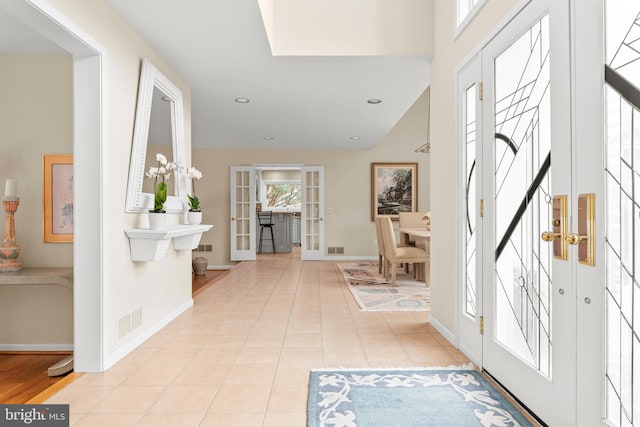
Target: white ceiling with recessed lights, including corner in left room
{"points": [[221, 49]]}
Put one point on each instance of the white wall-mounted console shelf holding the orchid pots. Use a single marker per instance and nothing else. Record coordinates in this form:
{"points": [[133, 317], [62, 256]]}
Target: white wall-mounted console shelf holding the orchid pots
{"points": [[152, 245]]}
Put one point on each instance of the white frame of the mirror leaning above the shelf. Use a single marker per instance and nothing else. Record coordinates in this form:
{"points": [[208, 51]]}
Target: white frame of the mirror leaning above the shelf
{"points": [[137, 201]]}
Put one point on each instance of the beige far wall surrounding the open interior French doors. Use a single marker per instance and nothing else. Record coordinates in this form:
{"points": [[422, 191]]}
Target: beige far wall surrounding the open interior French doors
{"points": [[347, 184]]}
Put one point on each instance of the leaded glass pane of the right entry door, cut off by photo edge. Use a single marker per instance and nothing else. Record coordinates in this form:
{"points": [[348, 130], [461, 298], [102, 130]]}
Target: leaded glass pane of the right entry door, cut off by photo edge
{"points": [[622, 179]]}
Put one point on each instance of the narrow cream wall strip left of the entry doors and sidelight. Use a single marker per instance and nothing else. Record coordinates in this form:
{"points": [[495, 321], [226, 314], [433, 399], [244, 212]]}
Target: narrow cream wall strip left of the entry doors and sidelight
{"points": [[448, 54]]}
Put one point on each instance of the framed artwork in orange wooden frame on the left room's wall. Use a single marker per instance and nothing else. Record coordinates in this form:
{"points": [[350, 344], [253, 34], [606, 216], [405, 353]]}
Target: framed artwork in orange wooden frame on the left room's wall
{"points": [[57, 172]]}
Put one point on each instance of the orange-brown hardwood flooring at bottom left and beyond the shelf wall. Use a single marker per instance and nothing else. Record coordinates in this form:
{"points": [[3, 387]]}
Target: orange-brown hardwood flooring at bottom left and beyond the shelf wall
{"points": [[24, 376]]}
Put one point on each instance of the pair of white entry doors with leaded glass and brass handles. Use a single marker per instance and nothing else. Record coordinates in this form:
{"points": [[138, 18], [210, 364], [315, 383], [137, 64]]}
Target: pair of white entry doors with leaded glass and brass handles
{"points": [[562, 318]]}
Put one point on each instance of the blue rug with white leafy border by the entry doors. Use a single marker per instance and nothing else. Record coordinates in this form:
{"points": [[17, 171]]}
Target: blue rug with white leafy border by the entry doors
{"points": [[407, 398]]}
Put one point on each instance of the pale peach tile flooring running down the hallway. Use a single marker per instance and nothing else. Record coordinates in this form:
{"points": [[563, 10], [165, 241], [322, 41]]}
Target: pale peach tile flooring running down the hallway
{"points": [[241, 355]]}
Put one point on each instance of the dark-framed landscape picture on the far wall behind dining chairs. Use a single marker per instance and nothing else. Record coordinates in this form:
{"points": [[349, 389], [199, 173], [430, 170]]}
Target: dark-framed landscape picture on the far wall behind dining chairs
{"points": [[394, 189]]}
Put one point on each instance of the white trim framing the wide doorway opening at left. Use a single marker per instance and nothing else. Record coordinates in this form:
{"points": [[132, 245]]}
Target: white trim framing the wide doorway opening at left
{"points": [[90, 70]]}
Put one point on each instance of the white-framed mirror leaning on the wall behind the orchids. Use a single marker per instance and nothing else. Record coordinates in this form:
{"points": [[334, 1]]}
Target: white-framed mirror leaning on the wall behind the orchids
{"points": [[158, 128]]}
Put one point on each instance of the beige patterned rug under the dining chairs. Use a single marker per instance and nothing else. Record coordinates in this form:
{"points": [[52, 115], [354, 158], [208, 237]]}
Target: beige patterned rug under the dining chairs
{"points": [[373, 293]]}
